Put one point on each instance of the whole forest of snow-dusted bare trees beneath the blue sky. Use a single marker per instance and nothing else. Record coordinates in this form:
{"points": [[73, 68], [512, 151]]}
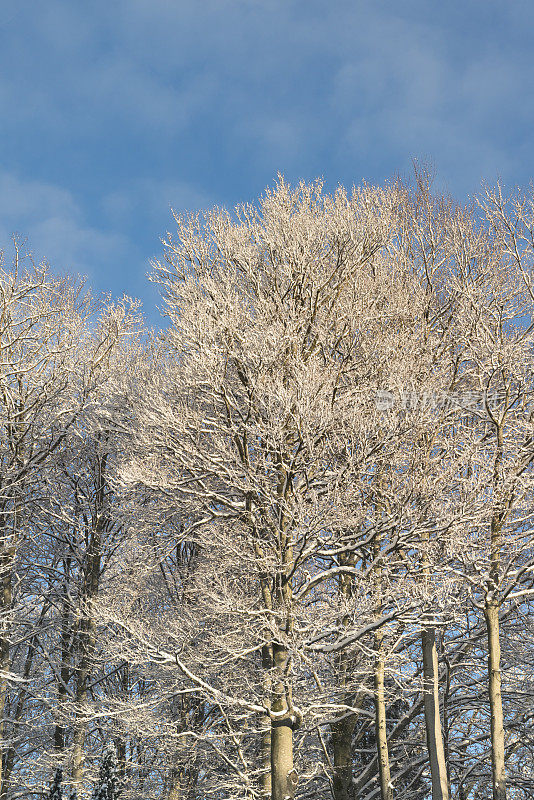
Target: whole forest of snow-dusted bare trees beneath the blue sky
{"points": [[283, 547]]}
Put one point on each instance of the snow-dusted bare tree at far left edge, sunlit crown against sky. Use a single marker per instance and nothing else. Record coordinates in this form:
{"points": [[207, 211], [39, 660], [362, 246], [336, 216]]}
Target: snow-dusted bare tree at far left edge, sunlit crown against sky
{"points": [[55, 343]]}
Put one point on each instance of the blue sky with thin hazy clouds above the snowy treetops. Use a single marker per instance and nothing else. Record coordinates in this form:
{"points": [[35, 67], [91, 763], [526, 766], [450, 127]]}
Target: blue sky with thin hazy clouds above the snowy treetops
{"points": [[112, 112]]}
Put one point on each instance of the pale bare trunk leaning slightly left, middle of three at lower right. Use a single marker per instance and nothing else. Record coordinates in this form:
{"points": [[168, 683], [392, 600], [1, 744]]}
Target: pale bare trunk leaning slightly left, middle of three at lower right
{"points": [[434, 735]]}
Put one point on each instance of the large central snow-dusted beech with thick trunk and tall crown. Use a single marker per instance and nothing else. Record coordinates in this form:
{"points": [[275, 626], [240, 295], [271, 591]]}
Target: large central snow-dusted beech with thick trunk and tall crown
{"points": [[248, 426]]}
